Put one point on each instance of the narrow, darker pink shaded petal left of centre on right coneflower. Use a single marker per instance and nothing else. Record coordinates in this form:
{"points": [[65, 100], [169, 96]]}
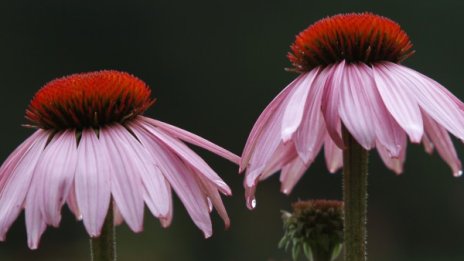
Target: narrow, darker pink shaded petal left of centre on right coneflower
{"points": [[331, 102]]}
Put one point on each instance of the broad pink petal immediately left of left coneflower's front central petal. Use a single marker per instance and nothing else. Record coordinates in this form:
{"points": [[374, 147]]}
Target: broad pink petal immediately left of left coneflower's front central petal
{"points": [[57, 166]]}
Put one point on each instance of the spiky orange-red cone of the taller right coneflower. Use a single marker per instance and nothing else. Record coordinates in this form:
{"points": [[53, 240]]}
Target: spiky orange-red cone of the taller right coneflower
{"points": [[364, 37]]}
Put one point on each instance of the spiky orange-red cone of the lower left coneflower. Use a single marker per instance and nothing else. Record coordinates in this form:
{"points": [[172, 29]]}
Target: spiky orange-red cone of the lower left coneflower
{"points": [[89, 100]]}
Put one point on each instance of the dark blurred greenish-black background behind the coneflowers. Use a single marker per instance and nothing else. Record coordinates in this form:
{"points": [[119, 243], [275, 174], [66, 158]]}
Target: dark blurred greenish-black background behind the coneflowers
{"points": [[214, 66]]}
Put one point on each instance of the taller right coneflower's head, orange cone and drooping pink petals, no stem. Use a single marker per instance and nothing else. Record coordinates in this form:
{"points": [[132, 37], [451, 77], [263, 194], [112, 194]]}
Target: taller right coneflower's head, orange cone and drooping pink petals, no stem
{"points": [[350, 77]]}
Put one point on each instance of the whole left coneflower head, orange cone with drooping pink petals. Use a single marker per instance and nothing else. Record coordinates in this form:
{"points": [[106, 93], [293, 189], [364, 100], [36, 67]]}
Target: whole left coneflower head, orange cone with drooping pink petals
{"points": [[93, 148]]}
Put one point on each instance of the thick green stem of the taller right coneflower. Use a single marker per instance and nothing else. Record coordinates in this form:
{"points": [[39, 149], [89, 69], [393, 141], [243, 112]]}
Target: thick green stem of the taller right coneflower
{"points": [[355, 160]]}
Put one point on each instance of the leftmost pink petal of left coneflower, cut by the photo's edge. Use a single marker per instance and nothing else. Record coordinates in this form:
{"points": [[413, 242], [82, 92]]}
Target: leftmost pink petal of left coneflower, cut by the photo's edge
{"points": [[17, 177]]}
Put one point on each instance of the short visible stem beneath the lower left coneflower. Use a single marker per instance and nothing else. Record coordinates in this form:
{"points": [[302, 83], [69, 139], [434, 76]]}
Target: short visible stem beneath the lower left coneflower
{"points": [[103, 248]]}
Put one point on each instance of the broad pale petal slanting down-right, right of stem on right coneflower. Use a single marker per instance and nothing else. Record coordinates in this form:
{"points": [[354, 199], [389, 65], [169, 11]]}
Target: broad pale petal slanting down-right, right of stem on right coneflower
{"points": [[399, 100]]}
